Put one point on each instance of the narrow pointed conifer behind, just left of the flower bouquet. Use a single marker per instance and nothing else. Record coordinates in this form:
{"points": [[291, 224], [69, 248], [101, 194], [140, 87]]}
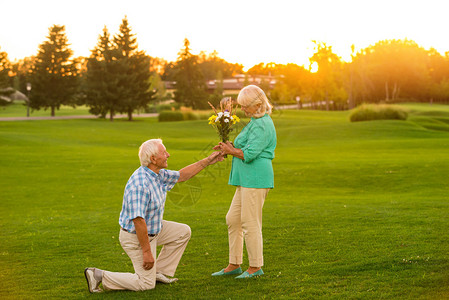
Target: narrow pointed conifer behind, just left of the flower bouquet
{"points": [[190, 85]]}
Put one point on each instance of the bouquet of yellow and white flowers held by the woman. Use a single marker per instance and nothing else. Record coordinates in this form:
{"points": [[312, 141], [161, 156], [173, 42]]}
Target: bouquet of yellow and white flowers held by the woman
{"points": [[223, 120]]}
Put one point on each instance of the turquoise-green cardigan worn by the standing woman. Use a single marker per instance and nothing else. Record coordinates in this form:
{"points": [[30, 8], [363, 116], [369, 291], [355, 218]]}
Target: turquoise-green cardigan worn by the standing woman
{"points": [[257, 141]]}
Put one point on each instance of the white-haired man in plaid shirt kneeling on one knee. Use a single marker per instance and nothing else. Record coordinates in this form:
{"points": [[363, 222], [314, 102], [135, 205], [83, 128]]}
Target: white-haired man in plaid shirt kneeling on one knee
{"points": [[142, 226]]}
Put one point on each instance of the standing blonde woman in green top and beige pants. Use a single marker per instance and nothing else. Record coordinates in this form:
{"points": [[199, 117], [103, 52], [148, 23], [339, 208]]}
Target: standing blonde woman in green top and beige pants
{"points": [[252, 174]]}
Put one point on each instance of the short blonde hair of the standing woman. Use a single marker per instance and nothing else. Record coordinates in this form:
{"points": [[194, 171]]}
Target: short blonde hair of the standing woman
{"points": [[253, 95]]}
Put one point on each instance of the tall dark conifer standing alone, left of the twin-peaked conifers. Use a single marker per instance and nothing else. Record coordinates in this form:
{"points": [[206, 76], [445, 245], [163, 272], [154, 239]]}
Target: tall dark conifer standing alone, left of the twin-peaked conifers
{"points": [[54, 77]]}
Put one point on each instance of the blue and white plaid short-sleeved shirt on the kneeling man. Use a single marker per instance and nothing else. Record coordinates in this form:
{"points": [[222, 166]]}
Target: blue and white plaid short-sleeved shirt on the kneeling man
{"points": [[144, 197]]}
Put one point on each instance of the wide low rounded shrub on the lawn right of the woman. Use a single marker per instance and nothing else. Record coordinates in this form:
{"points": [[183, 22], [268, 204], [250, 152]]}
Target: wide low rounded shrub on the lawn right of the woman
{"points": [[370, 112]]}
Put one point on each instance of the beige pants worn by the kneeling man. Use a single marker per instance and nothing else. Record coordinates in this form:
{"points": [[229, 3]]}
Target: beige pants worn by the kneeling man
{"points": [[174, 238]]}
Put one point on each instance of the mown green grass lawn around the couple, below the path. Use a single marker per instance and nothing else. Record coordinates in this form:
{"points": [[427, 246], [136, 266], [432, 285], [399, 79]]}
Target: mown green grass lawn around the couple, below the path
{"points": [[359, 210]]}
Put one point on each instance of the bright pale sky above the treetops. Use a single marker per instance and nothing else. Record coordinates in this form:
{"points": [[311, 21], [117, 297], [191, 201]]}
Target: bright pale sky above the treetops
{"points": [[241, 31]]}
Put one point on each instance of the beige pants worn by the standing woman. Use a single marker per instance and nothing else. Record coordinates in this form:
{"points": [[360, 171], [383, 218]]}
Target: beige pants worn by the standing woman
{"points": [[244, 220]]}
